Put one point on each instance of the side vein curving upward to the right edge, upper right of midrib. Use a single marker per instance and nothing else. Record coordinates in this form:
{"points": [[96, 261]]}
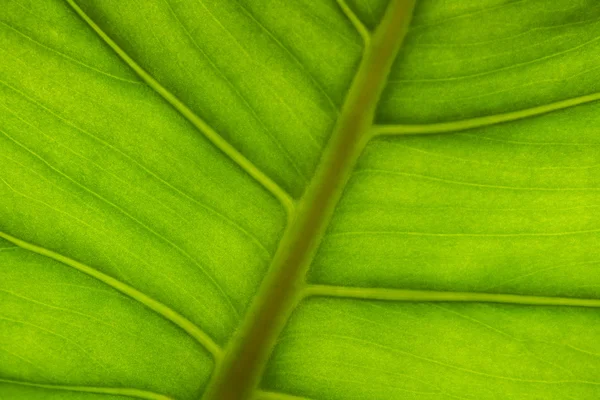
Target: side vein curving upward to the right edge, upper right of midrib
{"points": [[472, 123]]}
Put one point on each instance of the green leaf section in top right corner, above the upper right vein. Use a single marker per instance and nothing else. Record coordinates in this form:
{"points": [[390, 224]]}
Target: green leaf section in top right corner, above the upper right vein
{"points": [[469, 58]]}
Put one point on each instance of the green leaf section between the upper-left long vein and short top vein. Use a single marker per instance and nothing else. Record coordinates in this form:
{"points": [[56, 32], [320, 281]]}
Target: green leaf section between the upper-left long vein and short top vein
{"points": [[272, 86]]}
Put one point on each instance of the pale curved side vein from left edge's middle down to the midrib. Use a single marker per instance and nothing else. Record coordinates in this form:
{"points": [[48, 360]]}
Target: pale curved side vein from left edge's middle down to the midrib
{"points": [[156, 306]]}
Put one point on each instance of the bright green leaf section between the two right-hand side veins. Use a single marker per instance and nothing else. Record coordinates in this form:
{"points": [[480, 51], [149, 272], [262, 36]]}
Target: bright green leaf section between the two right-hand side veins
{"points": [[508, 208]]}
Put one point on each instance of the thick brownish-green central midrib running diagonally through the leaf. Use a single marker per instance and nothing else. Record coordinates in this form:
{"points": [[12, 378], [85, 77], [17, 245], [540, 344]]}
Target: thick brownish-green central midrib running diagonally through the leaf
{"points": [[273, 305]]}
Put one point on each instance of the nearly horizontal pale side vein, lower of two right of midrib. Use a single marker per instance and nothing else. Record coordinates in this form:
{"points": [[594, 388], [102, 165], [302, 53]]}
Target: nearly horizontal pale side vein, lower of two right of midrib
{"points": [[388, 294]]}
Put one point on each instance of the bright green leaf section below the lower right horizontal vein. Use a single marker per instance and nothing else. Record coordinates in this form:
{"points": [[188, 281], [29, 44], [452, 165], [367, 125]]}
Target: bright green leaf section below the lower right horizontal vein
{"points": [[350, 350]]}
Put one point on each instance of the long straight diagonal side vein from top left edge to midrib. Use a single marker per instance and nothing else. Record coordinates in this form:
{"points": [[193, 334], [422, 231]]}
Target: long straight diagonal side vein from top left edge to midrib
{"points": [[286, 200]]}
